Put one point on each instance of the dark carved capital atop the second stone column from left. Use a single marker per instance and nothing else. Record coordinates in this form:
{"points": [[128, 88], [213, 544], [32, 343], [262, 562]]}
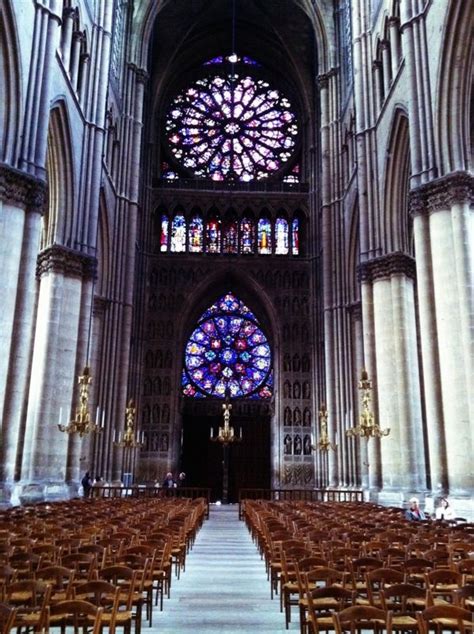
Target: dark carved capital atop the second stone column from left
{"points": [[69, 262]]}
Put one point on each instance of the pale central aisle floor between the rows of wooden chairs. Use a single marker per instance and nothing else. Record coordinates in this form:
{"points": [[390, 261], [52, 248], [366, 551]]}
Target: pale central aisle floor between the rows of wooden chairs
{"points": [[224, 587]]}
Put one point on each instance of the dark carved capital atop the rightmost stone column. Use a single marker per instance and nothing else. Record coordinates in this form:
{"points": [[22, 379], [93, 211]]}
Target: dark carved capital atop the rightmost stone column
{"points": [[442, 193]]}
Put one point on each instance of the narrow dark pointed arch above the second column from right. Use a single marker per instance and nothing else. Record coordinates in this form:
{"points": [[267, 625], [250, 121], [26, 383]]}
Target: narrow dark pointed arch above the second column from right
{"points": [[396, 230]]}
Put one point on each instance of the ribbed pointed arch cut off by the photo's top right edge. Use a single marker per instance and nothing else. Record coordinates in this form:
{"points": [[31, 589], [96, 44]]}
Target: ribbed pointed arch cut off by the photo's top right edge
{"points": [[455, 78]]}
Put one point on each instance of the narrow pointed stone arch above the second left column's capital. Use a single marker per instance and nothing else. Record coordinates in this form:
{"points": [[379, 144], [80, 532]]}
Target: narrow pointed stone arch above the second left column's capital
{"points": [[58, 219]]}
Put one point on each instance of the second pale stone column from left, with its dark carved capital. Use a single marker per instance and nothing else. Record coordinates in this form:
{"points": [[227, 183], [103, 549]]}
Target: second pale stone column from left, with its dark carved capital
{"points": [[53, 372]]}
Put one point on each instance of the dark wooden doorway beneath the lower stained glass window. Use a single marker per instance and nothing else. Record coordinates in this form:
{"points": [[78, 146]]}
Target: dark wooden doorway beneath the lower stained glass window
{"points": [[249, 460]]}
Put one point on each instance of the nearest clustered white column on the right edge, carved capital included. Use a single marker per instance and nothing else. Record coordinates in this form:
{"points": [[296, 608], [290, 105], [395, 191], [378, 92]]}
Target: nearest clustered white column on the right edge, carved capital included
{"points": [[442, 212]]}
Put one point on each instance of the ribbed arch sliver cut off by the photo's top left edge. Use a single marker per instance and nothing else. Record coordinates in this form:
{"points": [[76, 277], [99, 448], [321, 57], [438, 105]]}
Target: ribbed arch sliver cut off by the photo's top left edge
{"points": [[11, 101]]}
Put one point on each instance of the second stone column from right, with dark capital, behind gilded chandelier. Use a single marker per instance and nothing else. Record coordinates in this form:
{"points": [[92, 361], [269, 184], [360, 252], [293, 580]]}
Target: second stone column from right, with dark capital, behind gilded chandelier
{"points": [[397, 379]]}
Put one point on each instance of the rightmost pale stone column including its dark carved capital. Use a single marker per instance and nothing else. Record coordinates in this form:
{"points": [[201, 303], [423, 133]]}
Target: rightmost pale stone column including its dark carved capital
{"points": [[446, 202]]}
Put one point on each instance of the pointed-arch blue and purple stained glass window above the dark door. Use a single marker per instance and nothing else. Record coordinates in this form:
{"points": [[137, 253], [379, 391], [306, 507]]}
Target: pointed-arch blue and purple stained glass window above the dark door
{"points": [[228, 351]]}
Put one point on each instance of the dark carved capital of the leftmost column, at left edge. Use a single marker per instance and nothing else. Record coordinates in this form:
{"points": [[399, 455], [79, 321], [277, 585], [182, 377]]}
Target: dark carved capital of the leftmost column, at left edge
{"points": [[21, 189]]}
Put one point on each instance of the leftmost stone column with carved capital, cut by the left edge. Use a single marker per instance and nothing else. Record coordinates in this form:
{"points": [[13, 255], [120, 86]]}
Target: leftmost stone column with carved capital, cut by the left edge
{"points": [[22, 198]]}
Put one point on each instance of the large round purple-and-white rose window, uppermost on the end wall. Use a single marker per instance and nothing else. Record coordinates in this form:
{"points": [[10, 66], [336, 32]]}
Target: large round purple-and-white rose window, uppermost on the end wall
{"points": [[231, 126]]}
